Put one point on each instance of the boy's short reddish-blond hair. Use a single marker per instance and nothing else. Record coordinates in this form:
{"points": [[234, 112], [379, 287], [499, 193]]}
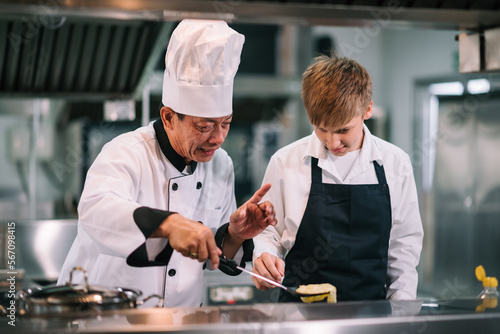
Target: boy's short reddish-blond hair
{"points": [[334, 90]]}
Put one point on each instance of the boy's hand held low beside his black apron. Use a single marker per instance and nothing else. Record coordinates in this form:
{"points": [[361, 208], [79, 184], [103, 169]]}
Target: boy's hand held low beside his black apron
{"points": [[269, 266]]}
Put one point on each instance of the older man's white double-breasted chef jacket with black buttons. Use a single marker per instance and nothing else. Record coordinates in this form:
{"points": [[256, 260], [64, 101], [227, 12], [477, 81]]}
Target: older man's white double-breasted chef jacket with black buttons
{"points": [[126, 190]]}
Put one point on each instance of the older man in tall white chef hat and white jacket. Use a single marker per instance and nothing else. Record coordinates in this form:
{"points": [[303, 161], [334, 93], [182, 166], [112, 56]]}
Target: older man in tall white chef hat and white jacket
{"points": [[154, 198]]}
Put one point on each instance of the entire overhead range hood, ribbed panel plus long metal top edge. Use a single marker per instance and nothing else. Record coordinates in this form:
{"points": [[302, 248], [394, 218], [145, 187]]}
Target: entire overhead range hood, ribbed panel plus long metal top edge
{"points": [[107, 49]]}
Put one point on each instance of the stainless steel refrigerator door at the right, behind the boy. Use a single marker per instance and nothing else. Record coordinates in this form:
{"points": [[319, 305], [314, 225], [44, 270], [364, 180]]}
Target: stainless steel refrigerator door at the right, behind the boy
{"points": [[458, 179]]}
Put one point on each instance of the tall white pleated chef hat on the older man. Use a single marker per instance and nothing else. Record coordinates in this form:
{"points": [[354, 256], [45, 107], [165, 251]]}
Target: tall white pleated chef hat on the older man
{"points": [[201, 62]]}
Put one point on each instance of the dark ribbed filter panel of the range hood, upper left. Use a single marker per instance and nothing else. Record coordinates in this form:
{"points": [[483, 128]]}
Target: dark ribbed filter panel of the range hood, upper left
{"points": [[74, 58]]}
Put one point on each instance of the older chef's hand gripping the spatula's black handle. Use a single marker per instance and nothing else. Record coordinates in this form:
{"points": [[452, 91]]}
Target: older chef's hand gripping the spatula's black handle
{"points": [[191, 239]]}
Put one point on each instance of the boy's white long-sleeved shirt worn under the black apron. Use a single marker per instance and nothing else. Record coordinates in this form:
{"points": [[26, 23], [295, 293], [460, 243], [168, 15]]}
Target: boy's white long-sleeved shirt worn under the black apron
{"points": [[289, 172]]}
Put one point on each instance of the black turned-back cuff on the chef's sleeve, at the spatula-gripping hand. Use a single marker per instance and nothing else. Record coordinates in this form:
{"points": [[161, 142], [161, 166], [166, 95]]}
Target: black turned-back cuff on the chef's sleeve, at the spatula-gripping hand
{"points": [[148, 220]]}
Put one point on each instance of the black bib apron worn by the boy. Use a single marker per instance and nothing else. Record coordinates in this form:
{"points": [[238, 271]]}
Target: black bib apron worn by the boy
{"points": [[343, 239]]}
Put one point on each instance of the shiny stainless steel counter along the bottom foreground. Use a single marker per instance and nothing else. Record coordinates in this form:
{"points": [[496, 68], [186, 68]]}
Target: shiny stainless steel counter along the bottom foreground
{"points": [[423, 316]]}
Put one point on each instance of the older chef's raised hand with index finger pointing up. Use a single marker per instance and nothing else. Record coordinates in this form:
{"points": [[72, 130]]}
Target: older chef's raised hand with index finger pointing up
{"points": [[252, 217]]}
